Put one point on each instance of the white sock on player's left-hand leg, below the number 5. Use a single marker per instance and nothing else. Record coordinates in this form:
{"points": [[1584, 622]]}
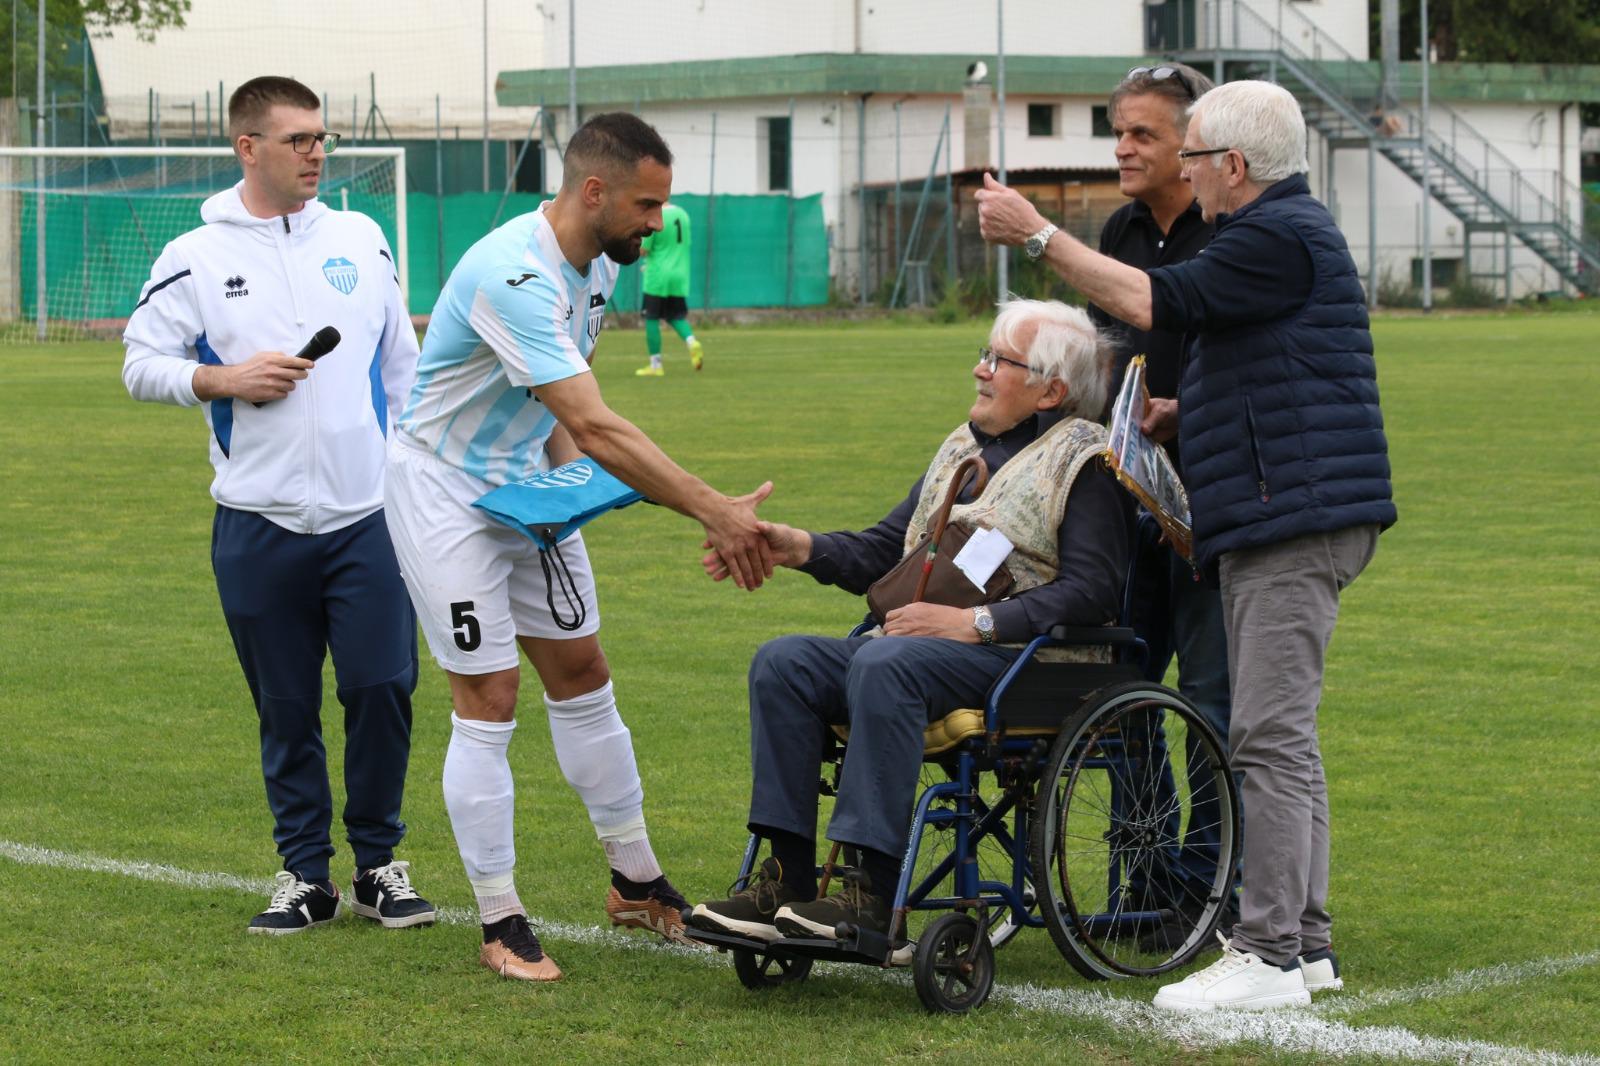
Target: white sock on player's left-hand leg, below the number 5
{"points": [[479, 795]]}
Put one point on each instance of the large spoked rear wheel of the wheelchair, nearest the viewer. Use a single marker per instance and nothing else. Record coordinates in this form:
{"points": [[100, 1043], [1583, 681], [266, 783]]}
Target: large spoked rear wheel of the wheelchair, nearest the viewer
{"points": [[1137, 833]]}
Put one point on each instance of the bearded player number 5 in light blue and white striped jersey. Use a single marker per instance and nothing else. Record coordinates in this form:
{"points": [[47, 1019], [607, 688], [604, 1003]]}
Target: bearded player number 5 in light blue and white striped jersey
{"points": [[503, 391]]}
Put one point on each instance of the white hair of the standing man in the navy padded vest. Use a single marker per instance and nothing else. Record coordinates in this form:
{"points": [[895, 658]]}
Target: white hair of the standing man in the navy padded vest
{"points": [[1258, 119]]}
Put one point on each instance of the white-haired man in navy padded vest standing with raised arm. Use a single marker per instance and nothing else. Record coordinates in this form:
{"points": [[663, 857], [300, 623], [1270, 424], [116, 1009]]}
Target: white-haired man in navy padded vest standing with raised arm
{"points": [[1287, 470]]}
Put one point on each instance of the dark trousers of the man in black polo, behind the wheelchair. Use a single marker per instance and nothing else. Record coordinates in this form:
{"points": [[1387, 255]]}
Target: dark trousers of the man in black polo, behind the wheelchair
{"points": [[1177, 614]]}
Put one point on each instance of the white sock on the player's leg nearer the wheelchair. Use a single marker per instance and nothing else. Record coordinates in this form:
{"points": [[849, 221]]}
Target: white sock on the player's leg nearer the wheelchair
{"points": [[596, 755]]}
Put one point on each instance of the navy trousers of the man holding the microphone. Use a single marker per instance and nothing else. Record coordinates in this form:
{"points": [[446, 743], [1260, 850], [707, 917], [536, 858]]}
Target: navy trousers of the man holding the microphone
{"points": [[289, 598]]}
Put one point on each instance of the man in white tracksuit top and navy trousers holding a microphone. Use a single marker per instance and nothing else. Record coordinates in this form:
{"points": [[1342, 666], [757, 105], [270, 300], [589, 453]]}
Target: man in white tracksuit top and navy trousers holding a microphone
{"points": [[300, 547]]}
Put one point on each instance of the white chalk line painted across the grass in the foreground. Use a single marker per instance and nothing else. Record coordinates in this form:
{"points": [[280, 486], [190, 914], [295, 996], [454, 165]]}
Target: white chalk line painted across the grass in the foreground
{"points": [[1305, 1032]]}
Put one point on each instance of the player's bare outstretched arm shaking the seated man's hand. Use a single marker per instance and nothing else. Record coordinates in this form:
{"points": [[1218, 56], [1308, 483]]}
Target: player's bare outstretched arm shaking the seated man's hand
{"points": [[626, 452]]}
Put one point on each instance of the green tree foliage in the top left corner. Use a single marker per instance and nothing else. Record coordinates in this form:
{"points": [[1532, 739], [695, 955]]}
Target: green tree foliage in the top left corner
{"points": [[66, 23]]}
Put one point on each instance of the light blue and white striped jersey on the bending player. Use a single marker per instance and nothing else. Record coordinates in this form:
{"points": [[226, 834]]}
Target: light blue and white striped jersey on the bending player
{"points": [[513, 316]]}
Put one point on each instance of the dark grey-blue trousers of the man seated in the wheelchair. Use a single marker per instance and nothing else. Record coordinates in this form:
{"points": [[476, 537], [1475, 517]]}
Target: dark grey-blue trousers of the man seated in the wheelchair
{"points": [[886, 691]]}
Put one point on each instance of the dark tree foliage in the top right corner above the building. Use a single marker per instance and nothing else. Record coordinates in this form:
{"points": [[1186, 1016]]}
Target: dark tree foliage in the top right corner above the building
{"points": [[1498, 31]]}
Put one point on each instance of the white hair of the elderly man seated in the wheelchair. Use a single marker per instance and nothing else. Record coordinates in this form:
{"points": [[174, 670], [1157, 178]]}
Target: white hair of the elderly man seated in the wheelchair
{"points": [[1065, 348]]}
